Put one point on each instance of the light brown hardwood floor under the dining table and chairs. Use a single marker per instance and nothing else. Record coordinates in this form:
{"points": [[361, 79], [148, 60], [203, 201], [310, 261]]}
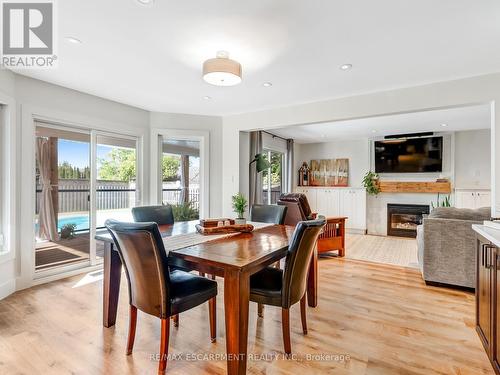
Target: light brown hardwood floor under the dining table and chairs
{"points": [[382, 318]]}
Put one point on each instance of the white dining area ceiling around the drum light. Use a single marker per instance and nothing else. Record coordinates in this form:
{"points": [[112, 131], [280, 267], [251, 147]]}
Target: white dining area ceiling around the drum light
{"points": [[151, 56]]}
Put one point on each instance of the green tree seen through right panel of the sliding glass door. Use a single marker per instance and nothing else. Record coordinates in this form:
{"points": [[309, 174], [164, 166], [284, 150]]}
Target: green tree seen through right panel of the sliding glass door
{"points": [[119, 165]]}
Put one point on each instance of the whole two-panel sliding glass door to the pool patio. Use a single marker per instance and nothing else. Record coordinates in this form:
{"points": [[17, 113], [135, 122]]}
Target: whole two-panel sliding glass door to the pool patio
{"points": [[83, 178]]}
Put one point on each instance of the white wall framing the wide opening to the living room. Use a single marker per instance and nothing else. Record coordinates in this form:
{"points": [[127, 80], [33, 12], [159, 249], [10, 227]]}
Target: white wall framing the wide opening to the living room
{"points": [[474, 90]]}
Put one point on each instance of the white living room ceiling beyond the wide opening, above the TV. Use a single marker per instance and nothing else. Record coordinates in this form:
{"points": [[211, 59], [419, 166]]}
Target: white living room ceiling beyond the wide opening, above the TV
{"points": [[464, 118]]}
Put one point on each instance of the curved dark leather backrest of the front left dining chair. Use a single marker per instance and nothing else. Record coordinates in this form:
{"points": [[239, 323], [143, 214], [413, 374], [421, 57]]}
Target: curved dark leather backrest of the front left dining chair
{"points": [[146, 265]]}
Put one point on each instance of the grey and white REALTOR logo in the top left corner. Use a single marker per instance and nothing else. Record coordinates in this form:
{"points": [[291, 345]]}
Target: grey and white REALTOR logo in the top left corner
{"points": [[28, 34]]}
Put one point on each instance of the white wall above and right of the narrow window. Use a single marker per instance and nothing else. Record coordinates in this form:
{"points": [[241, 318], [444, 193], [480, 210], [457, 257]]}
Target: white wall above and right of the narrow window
{"points": [[213, 125]]}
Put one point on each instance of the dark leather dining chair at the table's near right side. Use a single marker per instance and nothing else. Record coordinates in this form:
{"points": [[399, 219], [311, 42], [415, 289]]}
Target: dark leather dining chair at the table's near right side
{"points": [[284, 288]]}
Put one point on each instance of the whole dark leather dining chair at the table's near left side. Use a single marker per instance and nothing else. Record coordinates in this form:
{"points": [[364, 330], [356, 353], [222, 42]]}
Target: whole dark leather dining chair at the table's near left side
{"points": [[153, 287]]}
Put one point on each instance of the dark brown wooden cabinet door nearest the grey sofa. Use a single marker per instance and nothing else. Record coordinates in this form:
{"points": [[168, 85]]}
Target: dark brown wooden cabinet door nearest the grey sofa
{"points": [[484, 293]]}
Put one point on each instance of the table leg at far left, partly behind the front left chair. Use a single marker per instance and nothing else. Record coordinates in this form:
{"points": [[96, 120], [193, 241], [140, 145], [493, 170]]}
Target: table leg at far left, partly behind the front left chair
{"points": [[111, 287]]}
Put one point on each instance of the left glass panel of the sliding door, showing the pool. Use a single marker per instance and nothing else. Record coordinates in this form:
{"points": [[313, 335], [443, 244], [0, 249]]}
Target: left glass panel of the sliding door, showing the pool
{"points": [[62, 191]]}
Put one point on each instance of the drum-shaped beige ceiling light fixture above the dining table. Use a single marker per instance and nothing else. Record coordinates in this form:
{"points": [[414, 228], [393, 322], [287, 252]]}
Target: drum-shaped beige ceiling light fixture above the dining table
{"points": [[222, 71]]}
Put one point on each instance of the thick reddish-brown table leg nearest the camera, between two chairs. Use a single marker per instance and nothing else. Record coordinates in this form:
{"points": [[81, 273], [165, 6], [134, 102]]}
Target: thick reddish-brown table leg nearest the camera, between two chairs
{"points": [[236, 300]]}
